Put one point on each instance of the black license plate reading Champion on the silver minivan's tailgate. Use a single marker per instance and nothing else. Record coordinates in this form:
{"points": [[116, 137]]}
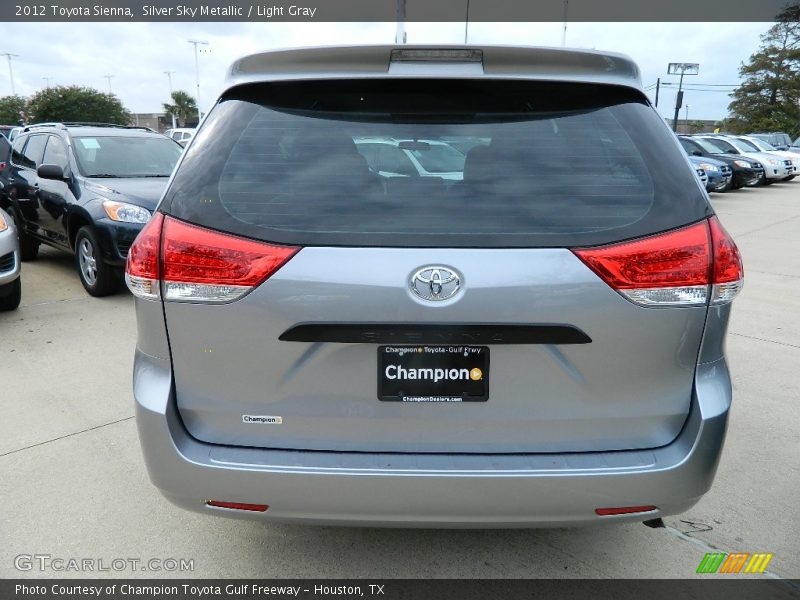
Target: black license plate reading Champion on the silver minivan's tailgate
{"points": [[433, 373]]}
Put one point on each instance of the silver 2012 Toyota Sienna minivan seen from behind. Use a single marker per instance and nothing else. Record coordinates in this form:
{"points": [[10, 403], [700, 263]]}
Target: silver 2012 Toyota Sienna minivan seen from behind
{"points": [[537, 342]]}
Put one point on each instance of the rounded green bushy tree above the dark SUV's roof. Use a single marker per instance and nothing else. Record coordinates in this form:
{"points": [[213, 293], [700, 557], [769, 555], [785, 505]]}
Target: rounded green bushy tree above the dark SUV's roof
{"points": [[74, 103]]}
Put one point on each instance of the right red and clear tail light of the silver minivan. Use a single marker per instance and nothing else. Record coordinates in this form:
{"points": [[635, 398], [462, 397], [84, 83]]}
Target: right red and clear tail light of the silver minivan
{"points": [[685, 267]]}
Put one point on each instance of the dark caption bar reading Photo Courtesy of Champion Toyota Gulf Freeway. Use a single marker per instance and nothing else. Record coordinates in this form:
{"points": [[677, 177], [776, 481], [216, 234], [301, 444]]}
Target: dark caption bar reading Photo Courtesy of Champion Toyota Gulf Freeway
{"points": [[710, 588]]}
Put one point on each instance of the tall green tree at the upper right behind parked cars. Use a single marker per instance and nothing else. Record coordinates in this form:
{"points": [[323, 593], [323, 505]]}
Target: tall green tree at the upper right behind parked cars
{"points": [[769, 97]]}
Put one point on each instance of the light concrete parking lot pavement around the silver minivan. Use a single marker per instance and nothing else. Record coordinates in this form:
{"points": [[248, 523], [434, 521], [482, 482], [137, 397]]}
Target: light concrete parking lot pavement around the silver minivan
{"points": [[73, 483]]}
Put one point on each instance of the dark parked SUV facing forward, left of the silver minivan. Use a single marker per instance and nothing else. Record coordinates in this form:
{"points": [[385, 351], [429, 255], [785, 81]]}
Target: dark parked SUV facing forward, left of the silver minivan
{"points": [[87, 189]]}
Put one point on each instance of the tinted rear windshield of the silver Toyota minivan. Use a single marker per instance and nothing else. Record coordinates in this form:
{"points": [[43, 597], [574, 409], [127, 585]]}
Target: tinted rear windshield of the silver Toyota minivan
{"points": [[435, 163]]}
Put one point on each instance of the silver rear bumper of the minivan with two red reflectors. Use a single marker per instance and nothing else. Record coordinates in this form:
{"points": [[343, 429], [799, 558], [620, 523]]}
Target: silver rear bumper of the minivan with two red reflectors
{"points": [[432, 490]]}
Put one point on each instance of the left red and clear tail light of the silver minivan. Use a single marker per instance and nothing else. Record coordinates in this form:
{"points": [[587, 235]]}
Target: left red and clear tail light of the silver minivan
{"points": [[197, 264]]}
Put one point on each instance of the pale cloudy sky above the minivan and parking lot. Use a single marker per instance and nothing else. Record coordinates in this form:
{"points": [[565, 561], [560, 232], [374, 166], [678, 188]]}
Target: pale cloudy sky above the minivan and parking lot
{"points": [[137, 54]]}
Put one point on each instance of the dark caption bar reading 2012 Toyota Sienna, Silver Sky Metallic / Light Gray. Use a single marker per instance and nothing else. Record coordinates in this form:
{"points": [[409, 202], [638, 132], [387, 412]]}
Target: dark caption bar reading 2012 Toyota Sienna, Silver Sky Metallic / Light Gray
{"points": [[600, 11]]}
